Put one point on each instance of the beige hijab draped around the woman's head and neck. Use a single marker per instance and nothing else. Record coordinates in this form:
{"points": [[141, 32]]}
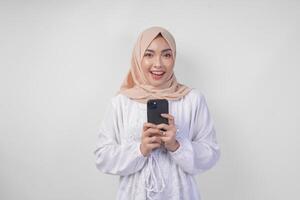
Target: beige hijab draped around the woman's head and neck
{"points": [[136, 87]]}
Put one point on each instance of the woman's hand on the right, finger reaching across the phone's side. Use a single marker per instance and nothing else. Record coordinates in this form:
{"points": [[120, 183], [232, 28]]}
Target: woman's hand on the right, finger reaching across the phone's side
{"points": [[169, 135]]}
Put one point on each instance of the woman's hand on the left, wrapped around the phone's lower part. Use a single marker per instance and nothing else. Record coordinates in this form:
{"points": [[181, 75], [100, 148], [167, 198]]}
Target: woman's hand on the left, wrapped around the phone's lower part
{"points": [[150, 138]]}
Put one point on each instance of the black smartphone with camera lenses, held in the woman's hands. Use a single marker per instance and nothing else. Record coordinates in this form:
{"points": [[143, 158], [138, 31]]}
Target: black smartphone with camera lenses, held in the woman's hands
{"points": [[154, 108]]}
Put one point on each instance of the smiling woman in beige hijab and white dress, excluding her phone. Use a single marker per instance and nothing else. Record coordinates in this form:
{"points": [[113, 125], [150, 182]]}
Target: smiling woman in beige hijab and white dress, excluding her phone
{"points": [[155, 164]]}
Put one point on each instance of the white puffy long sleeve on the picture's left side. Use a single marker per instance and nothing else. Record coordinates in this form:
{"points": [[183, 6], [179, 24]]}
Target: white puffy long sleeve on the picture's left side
{"points": [[112, 156]]}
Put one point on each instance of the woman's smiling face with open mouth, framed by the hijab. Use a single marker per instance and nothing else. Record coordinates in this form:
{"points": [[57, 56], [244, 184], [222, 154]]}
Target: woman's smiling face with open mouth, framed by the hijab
{"points": [[157, 62]]}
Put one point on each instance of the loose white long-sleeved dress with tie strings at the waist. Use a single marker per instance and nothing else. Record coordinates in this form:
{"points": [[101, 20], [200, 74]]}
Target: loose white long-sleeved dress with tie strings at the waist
{"points": [[163, 174]]}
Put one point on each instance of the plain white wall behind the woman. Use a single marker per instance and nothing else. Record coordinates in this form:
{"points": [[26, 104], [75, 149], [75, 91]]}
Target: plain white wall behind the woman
{"points": [[61, 62]]}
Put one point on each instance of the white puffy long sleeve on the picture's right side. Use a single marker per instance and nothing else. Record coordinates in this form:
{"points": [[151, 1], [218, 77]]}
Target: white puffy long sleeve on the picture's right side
{"points": [[201, 152]]}
